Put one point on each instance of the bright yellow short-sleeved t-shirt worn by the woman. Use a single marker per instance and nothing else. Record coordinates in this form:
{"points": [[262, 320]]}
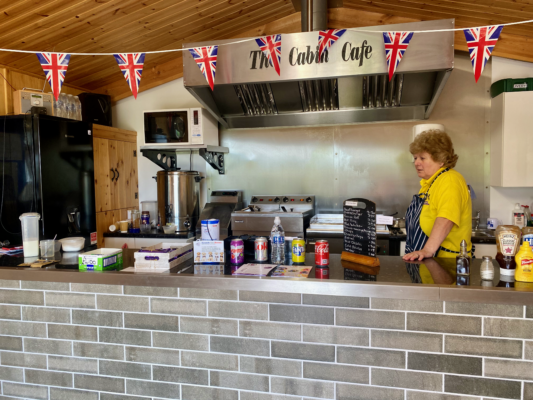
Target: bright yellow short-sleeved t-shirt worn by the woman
{"points": [[448, 198]]}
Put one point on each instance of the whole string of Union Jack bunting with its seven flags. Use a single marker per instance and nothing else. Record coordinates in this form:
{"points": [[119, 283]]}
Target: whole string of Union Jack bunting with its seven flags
{"points": [[481, 42]]}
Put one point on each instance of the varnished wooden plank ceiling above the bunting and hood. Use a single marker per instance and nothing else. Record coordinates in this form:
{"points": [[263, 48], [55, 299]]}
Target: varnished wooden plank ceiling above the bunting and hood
{"points": [[92, 26]]}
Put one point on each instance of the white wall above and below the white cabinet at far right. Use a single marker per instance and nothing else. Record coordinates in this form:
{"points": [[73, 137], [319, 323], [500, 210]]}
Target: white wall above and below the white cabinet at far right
{"points": [[502, 200]]}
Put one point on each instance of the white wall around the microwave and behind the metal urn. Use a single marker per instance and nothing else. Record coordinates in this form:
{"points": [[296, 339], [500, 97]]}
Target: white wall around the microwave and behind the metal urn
{"points": [[128, 114]]}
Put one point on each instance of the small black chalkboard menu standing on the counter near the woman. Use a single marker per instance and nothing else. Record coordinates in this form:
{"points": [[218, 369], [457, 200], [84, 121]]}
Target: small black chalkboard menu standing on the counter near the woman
{"points": [[360, 227]]}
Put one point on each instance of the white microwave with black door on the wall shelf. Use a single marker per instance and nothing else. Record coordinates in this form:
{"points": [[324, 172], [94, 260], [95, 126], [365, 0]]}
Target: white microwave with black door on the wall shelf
{"points": [[180, 127]]}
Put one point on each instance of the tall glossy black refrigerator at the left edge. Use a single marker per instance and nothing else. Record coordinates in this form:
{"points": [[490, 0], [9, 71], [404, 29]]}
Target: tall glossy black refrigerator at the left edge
{"points": [[47, 166]]}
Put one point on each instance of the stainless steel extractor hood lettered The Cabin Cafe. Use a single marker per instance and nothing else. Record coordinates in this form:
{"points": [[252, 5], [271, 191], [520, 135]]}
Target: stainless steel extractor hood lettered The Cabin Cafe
{"points": [[350, 84]]}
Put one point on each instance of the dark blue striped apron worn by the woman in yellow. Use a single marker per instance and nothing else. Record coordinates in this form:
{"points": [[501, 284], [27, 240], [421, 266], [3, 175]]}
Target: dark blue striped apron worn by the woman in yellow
{"points": [[416, 238]]}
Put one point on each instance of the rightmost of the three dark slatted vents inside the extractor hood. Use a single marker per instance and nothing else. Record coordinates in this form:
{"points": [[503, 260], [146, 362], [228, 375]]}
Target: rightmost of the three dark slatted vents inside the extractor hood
{"points": [[379, 92]]}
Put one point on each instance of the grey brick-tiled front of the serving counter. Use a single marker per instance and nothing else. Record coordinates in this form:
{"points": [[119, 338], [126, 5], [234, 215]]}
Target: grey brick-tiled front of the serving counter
{"points": [[80, 341]]}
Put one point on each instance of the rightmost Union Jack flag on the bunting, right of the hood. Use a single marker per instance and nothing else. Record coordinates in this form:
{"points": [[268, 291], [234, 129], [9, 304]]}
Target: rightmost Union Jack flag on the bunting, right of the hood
{"points": [[481, 42]]}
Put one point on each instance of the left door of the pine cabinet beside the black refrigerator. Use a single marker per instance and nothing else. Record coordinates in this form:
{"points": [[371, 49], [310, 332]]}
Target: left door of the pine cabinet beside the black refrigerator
{"points": [[102, 175]]}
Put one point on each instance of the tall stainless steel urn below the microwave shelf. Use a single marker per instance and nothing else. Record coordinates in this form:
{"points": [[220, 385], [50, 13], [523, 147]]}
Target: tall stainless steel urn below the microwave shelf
{"points": [[178, 198]]}
